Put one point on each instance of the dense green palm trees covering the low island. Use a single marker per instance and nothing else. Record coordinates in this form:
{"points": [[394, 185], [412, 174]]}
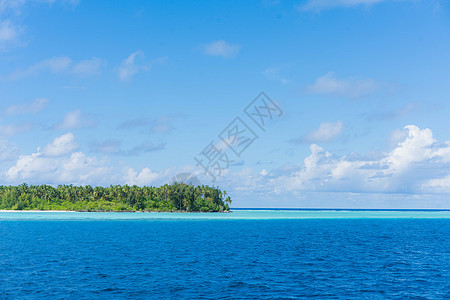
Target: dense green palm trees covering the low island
{"points": [[175, 197]]}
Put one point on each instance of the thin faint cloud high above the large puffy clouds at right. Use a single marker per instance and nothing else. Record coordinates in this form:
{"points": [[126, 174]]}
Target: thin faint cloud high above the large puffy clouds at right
{"points": [[353, 88]]}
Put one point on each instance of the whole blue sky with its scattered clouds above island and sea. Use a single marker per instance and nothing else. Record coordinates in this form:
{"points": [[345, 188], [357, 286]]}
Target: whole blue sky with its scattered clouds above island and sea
{"points": [[313, 103]]}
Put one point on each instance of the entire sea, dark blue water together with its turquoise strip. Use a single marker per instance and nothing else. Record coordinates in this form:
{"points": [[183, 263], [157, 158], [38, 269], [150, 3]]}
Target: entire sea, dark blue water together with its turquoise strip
{"points": [[241, 255]]}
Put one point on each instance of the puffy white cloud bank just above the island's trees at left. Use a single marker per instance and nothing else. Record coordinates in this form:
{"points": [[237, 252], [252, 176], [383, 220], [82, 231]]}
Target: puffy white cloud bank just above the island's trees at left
{"points": [[60, 162]]}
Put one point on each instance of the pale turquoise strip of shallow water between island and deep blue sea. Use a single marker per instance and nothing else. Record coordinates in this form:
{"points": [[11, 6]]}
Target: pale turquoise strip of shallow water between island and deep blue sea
{"points": [[235, 215]]}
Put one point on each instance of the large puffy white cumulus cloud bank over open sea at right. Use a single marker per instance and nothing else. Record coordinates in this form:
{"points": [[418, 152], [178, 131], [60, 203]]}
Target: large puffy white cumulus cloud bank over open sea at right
{"points": [[418, 164]]}
